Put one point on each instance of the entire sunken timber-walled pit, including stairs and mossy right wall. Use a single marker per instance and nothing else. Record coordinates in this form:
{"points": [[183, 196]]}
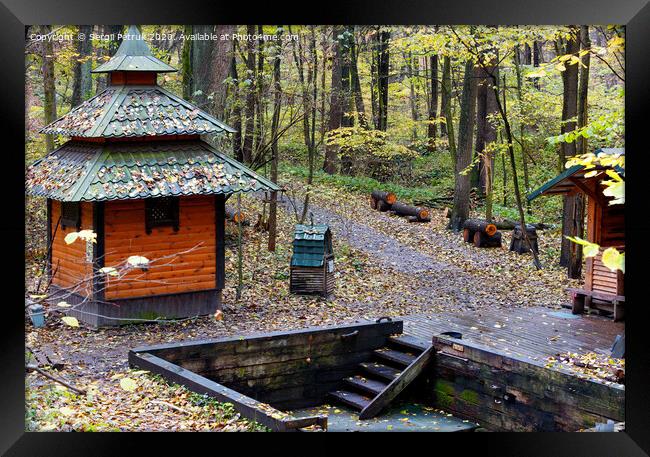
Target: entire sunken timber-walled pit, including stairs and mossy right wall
{"points": [[370, 376]]}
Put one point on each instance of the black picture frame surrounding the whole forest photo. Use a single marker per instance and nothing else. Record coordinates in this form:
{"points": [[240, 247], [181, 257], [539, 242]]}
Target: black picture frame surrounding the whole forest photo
{"points": [[635, 14]]}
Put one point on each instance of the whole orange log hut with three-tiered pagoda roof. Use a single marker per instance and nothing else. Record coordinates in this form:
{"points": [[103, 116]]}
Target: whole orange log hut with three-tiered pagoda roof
{"points": [[137, 173]]}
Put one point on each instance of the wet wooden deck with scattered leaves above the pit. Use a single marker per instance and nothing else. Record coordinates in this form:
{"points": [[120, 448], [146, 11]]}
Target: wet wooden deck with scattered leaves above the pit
{"points": [[532, 333]]}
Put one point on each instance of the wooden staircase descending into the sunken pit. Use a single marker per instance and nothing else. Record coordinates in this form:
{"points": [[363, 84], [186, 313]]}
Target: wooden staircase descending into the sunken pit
{"points": [[382, 379]]}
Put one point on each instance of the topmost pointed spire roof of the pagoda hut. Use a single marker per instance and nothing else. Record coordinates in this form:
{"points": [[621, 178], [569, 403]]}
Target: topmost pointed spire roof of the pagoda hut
{"points": [[134, 55]]}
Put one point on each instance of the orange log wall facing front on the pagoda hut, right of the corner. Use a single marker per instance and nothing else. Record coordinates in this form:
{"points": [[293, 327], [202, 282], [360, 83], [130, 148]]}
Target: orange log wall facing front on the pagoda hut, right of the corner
{"points": [[191, 271]]}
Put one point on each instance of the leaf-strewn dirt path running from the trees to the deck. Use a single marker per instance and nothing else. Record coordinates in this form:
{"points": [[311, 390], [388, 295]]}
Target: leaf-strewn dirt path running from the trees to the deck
{"points": [[448, 272]]}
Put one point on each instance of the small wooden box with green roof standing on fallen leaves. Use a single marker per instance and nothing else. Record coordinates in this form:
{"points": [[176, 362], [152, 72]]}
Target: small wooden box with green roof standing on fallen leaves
{"points": [[312, 263]]}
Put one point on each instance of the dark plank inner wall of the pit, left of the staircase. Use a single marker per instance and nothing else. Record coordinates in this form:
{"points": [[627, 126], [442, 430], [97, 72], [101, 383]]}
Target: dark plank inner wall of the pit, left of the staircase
{"points": [[288, 370]]}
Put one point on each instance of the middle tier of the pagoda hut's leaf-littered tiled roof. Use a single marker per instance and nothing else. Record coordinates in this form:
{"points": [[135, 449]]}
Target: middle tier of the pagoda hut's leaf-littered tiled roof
{"points": [[129, 111]]}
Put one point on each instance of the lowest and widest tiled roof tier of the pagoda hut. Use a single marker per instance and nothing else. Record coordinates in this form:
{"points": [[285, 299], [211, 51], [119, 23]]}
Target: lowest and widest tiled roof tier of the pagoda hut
{"points": [[83, 171]]}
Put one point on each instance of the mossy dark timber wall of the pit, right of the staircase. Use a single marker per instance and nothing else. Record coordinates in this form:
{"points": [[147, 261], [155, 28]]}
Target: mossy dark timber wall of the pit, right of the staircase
{"points": [[507, 393]]}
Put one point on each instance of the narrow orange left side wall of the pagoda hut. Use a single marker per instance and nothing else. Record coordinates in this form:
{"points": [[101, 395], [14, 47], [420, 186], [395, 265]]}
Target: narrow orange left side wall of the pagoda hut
{"points": [[69, 264]]}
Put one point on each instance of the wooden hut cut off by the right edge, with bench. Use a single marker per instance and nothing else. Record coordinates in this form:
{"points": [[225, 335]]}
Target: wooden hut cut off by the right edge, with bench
{"points": [[603, 288]]}
